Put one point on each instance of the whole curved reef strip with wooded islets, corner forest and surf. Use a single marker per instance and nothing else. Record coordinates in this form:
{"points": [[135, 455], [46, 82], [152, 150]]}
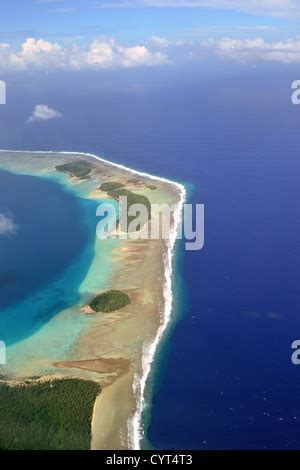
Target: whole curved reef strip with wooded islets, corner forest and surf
{"points": [[88, 393]]}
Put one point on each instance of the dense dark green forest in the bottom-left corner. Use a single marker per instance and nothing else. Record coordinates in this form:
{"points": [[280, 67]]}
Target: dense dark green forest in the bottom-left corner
{"points": [[52, 415]]}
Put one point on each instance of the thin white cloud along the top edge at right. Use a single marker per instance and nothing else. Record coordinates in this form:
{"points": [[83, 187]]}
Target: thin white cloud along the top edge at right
{"points": [[280, 8]]}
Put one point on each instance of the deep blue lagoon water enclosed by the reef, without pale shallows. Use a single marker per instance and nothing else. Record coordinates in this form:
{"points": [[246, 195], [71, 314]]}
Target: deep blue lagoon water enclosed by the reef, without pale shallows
{"points": [[52, 234]]}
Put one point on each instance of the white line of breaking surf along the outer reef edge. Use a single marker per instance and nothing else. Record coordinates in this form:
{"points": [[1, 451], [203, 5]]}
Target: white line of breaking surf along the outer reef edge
{"points": [[134, 423]]}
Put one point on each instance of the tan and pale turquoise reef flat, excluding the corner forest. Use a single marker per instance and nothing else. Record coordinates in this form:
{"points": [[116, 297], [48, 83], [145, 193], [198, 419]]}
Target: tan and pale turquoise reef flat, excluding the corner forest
{"points": [[107, 349]]}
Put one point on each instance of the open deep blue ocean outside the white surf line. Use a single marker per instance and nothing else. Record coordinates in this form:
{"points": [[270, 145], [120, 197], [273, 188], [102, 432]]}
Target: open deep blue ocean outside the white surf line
{"points": [[224, 377]]}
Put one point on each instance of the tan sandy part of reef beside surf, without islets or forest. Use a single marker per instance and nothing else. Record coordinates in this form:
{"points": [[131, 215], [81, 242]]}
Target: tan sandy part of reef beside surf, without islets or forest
{"points": [[115, 349]]}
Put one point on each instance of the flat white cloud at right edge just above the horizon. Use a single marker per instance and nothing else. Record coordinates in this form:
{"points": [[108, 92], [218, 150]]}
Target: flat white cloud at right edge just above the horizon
{"points": [[254, 50]]}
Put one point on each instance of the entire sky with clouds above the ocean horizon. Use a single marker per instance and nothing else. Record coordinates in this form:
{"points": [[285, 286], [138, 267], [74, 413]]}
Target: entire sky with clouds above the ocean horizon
{"points": [[84, 34]]}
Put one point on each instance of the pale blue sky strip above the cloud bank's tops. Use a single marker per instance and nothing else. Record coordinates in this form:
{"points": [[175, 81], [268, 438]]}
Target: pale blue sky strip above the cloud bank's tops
{"points": [[135, 20]]}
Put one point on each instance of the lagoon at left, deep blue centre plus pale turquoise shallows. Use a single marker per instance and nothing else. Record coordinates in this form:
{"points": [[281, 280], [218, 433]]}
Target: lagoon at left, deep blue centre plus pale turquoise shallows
{"points": [[49, 266]]}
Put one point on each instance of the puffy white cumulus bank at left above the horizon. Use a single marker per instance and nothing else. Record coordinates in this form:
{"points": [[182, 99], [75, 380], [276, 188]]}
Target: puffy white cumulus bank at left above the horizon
{"points": [[108, 53]]}
